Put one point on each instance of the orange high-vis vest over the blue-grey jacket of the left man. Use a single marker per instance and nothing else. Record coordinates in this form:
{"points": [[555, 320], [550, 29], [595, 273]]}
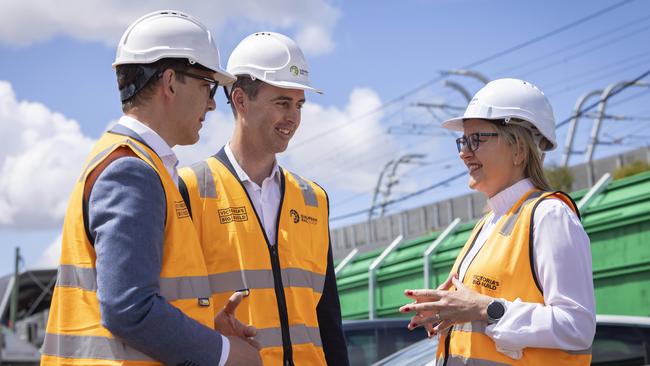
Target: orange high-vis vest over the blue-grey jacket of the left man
{"points": [[74, 333]]}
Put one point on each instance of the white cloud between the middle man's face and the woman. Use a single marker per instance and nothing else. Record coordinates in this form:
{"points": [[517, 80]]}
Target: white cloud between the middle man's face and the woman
{"points": [[343, 149]]}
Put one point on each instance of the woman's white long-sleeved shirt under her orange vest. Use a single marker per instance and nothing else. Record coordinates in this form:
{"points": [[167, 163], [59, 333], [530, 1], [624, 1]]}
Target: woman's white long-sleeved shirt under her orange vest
{"points": [[562, 256]]}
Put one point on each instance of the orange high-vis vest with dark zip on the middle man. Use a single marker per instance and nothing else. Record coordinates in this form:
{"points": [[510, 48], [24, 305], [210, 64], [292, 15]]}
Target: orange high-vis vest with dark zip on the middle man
{"points": [[285, 279]]}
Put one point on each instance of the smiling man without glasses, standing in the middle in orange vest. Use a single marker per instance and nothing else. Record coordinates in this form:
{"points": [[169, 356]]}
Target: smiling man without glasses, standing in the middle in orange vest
{"points": [[263, 228]]}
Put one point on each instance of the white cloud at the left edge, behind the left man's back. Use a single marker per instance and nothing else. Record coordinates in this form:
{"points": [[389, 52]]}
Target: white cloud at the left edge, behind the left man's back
{"points": [[41, 154]]}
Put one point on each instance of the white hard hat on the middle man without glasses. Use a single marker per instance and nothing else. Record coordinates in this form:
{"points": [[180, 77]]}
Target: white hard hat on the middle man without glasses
{"points": [[273, 58]]}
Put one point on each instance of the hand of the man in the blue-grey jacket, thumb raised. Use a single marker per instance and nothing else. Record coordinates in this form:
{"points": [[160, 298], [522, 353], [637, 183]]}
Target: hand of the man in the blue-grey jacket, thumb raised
{"points": [[244, 349]]}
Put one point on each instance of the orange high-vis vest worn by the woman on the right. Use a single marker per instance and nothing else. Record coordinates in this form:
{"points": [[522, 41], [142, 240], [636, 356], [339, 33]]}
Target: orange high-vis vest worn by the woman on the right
{"points": [[504, 268]]}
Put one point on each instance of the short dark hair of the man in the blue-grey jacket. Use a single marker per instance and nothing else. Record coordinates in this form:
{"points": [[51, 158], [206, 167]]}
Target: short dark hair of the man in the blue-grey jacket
{"points": [[128, 73]]}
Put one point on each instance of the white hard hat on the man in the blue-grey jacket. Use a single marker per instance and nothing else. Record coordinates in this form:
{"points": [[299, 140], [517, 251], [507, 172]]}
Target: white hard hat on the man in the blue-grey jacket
{"points": [[170, 34]]}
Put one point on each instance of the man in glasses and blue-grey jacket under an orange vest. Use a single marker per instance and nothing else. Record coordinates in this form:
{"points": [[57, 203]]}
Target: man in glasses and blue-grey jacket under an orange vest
{"points": [[133, 285]]}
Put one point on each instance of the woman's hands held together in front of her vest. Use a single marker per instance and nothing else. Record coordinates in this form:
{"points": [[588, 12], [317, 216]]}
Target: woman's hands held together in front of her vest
{"points": [[444, 308]]}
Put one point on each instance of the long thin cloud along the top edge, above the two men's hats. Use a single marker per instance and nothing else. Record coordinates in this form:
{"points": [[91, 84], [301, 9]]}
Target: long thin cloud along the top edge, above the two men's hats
{"points": [[23, 22]]}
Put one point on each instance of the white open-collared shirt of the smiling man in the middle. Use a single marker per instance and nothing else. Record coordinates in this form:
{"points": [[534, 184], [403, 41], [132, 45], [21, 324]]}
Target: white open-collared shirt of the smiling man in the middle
{"points": [[265, 199]]}
